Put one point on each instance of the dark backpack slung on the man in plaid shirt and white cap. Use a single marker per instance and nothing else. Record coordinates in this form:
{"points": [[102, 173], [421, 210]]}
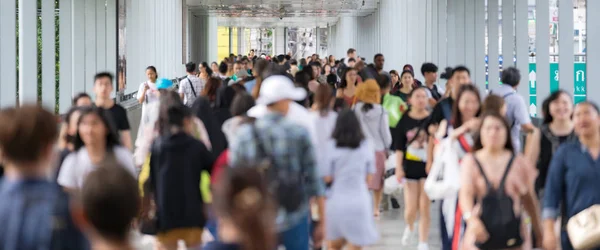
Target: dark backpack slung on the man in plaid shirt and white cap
{"points": [[286, 187]]}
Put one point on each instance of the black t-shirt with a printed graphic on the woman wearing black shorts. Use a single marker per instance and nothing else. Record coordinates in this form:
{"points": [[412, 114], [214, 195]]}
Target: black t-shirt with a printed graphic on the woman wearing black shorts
{"points": [[414, 148]]}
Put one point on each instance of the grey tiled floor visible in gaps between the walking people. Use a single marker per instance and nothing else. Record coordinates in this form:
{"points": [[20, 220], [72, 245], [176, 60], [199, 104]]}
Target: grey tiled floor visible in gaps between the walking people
{"points": [[390, 226]]}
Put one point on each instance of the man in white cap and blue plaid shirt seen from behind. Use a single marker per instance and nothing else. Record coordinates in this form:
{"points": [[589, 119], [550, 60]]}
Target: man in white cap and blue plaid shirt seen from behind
{"points": [[288, 148]]}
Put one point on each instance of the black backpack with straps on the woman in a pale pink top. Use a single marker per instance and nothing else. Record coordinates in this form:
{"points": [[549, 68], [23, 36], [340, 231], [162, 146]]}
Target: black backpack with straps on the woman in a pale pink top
{"points": [[498, 215]]}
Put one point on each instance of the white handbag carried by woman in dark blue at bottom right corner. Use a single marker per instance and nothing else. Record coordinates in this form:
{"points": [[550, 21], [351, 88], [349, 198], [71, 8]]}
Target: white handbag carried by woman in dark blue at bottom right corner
{"points": [[584, 228]]}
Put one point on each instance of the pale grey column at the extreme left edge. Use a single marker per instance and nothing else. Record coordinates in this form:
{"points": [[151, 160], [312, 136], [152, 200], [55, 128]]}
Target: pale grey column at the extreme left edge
{"points": [[8, 53]]}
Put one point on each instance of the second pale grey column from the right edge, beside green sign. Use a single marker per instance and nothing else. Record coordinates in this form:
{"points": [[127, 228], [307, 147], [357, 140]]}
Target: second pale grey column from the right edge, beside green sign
{"points": [[565, 45]]}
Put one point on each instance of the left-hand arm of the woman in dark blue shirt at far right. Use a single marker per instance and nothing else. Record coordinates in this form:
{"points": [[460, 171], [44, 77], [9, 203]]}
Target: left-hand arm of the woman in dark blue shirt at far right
{"points": [[553, 196]]}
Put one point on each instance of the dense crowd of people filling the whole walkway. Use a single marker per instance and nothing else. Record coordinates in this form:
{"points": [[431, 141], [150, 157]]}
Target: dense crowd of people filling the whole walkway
{"points": [[256, 152]]}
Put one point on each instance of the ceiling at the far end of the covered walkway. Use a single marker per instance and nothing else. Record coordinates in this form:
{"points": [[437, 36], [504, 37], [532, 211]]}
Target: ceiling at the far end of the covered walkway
{"points": [[278, 13]]}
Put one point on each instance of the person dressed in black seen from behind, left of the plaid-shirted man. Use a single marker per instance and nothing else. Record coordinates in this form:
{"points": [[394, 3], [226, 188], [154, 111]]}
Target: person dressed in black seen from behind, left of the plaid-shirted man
{"points": [[177, 160]]}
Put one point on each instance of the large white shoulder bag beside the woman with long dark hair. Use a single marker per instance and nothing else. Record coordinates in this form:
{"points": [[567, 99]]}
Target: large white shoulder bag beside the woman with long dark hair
{"points": [[443, 181]]}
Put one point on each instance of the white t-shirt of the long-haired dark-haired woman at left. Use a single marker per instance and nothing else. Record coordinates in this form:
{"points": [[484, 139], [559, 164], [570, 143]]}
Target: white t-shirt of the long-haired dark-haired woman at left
{"points": [[78, 165]]}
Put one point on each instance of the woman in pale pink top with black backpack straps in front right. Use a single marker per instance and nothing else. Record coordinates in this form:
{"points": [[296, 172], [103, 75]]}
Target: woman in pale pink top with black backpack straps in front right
{"points": [[496, 190]]}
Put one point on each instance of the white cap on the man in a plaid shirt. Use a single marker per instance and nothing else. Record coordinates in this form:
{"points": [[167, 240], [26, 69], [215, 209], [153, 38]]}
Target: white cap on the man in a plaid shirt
{"points": [[277, 88]]}
